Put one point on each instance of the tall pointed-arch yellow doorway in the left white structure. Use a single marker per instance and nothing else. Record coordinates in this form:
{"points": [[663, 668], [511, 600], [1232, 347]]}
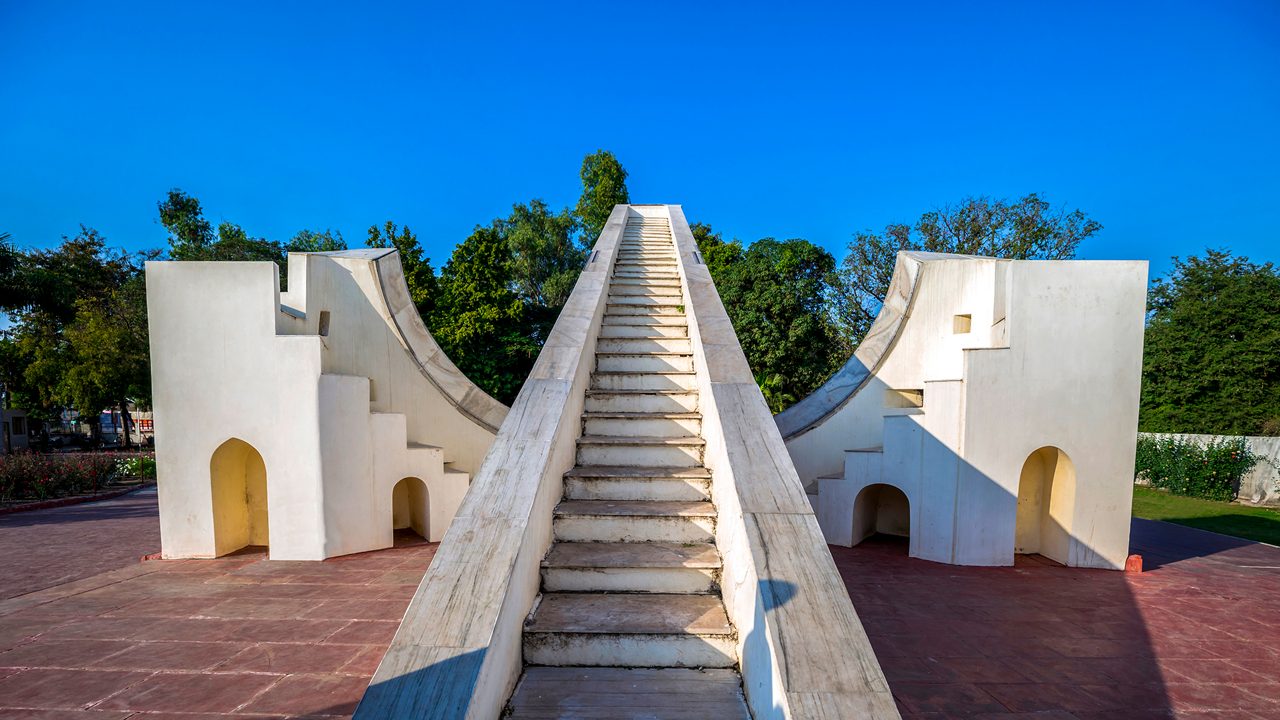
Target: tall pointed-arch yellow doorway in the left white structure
{"points": [[239, 480]]}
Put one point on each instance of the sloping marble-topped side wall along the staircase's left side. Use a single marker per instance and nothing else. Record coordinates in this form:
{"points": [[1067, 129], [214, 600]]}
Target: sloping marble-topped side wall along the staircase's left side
{"points": [[458, 654]]}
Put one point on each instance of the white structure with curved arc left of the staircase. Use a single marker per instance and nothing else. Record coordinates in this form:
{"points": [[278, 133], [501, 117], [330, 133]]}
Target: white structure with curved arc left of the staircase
{"points": [[316, 421]]}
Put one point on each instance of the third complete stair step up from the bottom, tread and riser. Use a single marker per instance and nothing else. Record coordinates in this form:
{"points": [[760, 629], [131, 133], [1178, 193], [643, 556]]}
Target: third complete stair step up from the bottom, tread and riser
{"points": [[634, 521]]}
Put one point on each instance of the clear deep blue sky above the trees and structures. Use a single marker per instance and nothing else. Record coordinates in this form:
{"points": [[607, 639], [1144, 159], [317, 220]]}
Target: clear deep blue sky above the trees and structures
{"points": [[1159, 120]]}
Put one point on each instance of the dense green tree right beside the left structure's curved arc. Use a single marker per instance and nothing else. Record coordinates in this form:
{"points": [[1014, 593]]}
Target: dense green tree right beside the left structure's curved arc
{"points": [[482, 323]]}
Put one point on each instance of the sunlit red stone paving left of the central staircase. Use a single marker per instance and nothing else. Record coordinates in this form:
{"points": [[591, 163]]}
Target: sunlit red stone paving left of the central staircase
{"points": [[235, 637]]}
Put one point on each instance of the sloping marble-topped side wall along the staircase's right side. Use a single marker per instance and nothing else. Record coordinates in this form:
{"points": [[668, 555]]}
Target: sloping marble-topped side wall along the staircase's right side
{"points": [[803, 651]]}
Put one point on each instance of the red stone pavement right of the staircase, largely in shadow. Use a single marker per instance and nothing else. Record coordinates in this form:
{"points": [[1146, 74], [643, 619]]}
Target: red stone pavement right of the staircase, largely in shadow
{"points": [[1196, 636]]}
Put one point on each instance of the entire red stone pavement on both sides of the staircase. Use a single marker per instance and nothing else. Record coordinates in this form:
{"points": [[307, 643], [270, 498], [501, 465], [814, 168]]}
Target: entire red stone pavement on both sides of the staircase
{"points": [[1197, 636]]}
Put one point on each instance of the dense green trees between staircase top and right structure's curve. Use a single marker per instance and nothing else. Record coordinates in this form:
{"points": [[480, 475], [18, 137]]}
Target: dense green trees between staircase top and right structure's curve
{"points": [[776, 294]]}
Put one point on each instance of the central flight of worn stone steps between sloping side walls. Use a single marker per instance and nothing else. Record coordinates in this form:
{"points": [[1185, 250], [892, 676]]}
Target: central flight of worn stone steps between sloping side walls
{"points": [[630, 622]]}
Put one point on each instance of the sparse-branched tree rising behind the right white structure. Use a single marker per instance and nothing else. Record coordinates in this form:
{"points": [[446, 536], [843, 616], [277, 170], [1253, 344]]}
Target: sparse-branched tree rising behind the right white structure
{"points": [[1022, 230]]}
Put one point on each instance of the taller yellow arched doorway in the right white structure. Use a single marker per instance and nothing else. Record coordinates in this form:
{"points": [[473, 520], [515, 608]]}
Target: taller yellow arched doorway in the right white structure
{"points": [[1046, 504]]}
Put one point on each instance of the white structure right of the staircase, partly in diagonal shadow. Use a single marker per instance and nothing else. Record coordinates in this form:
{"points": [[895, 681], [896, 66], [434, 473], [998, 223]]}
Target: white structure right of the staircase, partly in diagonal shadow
{"points": [[991, 411]]}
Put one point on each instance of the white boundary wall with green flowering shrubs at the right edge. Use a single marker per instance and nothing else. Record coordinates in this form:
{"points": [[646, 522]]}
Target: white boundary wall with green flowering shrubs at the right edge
{"points": [[1212, 467]]}
